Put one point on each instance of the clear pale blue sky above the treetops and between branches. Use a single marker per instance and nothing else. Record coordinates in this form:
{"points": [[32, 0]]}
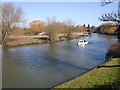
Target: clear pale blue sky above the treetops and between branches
{"points": [[79, 12]]}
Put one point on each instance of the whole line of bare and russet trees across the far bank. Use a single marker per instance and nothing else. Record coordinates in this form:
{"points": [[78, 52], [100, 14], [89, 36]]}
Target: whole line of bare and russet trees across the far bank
{"points": [[12, 17]]}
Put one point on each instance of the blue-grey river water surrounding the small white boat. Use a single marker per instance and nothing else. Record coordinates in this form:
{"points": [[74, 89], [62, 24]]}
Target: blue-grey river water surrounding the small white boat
{"points": [[47, 65]]}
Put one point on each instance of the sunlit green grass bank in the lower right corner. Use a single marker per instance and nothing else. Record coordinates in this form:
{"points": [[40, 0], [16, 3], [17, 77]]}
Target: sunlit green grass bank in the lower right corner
{"points": [[105, 76]]}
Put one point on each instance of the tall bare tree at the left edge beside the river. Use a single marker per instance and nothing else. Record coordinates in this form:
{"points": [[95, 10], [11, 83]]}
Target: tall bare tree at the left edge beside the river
{"points": [[11, 17]]}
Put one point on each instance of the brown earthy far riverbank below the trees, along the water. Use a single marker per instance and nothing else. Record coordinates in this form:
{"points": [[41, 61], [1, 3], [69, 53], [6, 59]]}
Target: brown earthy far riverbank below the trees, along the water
{"points": [[14, 41]]}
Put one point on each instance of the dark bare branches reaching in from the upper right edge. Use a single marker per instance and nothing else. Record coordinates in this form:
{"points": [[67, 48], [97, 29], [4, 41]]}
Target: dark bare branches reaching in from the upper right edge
{"points": [[113, 16]]}
